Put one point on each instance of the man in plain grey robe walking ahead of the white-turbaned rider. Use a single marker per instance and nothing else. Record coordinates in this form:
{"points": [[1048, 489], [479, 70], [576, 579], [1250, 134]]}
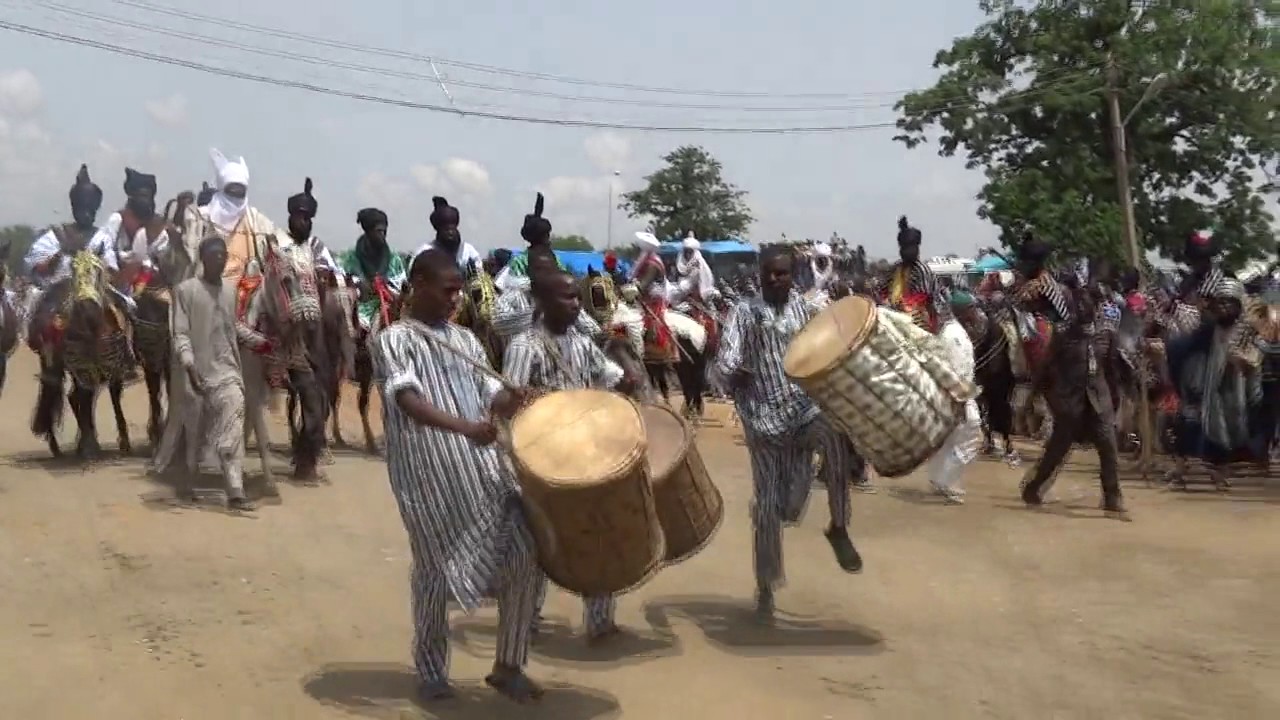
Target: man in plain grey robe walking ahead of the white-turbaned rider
{"points": [[207, 407]]}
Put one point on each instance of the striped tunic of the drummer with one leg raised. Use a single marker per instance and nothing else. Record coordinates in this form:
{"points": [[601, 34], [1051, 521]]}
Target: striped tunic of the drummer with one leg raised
{"points": [[756, 340]]}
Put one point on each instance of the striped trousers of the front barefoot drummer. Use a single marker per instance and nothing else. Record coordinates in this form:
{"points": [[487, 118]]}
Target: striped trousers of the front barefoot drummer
{"points": [[515, 589]]}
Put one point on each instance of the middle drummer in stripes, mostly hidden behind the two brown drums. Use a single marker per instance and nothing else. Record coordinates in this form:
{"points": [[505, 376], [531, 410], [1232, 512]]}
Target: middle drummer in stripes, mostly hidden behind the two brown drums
{"points": [[556, 356]]}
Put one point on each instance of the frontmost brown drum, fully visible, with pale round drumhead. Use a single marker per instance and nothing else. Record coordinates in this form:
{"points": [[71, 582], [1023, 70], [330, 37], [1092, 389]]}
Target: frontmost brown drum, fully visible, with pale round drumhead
{"points": [[580, 461]]}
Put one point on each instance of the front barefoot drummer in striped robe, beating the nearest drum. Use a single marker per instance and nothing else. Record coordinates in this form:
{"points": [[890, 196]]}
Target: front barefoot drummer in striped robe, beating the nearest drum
{"points": [[459, 502]]}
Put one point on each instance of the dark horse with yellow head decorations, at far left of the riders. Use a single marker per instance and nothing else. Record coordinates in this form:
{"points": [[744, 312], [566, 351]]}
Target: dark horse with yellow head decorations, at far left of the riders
{"points": [[85, 335]]}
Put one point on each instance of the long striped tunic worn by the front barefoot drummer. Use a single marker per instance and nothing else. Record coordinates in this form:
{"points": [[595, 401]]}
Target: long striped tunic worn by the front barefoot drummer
{"points": [[455, 498]]}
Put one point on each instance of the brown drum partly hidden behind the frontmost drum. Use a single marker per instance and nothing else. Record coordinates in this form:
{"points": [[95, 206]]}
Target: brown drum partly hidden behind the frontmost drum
{"points": [[689, 507]]}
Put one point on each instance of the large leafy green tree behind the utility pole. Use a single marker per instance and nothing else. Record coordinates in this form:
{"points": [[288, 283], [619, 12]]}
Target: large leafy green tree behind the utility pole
{"points": [[1025, 99]]}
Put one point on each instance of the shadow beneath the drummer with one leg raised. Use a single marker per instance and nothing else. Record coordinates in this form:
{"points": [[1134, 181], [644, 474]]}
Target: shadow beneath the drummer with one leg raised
{"points": [[733, 626]]}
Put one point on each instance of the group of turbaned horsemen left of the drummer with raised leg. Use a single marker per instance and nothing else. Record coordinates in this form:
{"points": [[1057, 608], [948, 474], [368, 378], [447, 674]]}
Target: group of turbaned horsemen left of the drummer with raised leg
{"points": [[103, 295]]}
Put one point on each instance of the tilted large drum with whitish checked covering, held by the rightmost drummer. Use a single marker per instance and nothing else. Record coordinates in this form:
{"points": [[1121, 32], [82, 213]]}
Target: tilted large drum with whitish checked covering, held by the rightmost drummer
{"points": [[881, 380]]}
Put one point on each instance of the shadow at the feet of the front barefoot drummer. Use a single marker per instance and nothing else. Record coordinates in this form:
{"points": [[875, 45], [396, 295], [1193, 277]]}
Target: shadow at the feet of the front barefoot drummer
{"points": [[377, 690]]}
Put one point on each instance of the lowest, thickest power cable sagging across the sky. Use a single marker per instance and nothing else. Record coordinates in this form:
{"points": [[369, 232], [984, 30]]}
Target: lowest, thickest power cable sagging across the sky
{"points": [[460, 112]]}
